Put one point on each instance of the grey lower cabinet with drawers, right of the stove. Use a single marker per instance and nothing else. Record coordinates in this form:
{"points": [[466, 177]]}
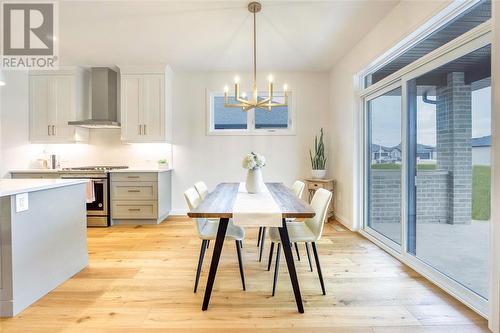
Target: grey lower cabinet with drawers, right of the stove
{"points": [[140, 197]]}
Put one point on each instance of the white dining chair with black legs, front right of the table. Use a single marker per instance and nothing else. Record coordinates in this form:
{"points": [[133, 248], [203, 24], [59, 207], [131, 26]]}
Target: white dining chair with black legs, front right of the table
{"points": [[306, 232]]}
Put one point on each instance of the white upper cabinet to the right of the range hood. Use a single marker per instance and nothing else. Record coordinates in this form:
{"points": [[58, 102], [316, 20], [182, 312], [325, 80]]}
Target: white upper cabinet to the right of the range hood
{"points": [[146, 105]]}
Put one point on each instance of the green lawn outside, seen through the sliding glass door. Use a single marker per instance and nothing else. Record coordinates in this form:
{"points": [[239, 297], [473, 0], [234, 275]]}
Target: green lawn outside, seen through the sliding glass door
{"points": [[481, 192]]}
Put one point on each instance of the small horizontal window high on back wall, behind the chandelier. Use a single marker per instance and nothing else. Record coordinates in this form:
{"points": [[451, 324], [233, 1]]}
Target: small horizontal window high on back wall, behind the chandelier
{"points": [[234, 121]]}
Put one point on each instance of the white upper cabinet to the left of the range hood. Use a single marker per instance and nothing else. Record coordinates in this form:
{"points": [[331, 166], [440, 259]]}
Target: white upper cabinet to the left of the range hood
{"points": [[56, 97]]}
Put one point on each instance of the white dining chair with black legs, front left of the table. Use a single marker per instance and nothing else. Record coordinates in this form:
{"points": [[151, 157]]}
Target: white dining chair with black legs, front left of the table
{"points": [[207, 230]]}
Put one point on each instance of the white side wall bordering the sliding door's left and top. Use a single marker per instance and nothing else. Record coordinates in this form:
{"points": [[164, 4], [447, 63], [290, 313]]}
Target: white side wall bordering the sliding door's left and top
{"points": [[401, 21]]}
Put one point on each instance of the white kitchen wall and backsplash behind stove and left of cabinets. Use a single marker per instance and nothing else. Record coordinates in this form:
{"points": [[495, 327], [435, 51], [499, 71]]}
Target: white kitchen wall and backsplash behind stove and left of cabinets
{"points": [[104, 147]]}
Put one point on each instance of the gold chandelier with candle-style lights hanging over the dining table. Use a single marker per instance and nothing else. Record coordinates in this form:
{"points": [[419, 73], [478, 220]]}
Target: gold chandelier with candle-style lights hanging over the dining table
{"points": [[254, 101]]}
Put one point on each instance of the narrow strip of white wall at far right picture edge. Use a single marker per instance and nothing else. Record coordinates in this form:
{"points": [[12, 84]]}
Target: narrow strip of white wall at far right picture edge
{"points": [[494, 318]]}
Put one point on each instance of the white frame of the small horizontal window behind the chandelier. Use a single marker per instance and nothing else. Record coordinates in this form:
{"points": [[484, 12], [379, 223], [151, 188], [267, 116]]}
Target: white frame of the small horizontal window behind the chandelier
{"points": [[251, 130]]}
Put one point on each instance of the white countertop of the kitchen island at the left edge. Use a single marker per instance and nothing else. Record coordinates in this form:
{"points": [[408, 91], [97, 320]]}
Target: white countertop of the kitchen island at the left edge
{"points": [[16, 186]]}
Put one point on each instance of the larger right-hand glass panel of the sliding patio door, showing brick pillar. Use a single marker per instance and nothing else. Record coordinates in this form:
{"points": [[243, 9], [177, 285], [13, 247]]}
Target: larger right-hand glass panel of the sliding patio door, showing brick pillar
{"points": [[449, 147]]}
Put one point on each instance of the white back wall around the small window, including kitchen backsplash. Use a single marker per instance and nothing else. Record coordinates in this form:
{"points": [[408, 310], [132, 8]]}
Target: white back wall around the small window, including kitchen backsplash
{"points": [[196, 156]]}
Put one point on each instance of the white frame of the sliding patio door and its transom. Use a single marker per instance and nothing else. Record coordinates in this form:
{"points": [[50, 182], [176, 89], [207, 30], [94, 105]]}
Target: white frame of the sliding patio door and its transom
{"points": [[474, 39]]}
